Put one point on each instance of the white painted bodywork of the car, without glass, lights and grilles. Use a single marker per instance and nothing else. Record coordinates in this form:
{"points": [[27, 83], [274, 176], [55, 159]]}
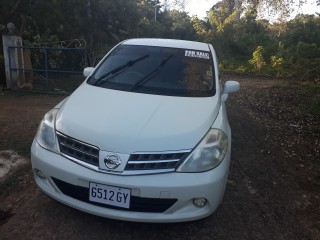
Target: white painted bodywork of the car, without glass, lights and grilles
{"points": [[123, 123]]}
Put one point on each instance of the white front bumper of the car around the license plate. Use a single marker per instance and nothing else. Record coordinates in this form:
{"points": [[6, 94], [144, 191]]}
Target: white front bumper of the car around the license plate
{"points": [[61, 174]]}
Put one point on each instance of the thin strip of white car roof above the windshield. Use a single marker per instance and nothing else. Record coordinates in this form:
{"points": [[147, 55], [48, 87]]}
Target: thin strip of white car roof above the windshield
{"points": [[174, 43]]}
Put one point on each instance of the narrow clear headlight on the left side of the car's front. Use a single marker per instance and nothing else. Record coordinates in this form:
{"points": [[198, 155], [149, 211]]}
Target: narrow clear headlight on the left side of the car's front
{"points": [[46, 136]]}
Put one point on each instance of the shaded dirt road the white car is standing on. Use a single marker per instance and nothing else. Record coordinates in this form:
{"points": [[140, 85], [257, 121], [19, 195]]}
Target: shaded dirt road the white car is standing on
{"points": [[273, 190]]}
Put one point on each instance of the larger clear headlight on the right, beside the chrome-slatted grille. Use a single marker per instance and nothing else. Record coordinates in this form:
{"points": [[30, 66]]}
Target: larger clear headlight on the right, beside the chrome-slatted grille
{"points": [[208, 154]]}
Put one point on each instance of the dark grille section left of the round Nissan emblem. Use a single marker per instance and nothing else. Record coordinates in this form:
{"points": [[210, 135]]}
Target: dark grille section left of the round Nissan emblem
{"points": [[74, 149]]}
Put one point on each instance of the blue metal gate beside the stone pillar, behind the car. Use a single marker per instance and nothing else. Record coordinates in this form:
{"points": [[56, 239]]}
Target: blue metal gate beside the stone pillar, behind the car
{"points": [[49, 69]]}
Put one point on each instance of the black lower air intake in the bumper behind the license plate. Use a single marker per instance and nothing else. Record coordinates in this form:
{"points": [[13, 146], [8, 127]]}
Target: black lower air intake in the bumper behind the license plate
{"points": [[137, 204]]}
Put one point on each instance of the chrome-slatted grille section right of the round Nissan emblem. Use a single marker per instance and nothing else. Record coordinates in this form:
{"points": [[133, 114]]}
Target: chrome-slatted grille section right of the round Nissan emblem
{"points": [[160, 161]]}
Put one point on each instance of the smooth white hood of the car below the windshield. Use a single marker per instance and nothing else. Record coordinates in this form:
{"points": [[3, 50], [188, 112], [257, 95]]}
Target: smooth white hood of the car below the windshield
{"points": [[125, 122]]}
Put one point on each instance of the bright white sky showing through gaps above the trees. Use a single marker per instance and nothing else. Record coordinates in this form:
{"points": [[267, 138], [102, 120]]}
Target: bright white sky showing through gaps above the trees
{"points": [[199, 7]]}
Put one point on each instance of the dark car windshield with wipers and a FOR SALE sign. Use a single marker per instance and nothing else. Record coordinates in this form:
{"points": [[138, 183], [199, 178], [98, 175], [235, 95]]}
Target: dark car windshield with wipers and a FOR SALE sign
{"points": [[157, 70]]}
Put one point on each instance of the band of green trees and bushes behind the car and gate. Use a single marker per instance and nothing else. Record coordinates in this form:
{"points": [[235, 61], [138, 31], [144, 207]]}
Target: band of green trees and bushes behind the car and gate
{"points": [[290, 49]]}
